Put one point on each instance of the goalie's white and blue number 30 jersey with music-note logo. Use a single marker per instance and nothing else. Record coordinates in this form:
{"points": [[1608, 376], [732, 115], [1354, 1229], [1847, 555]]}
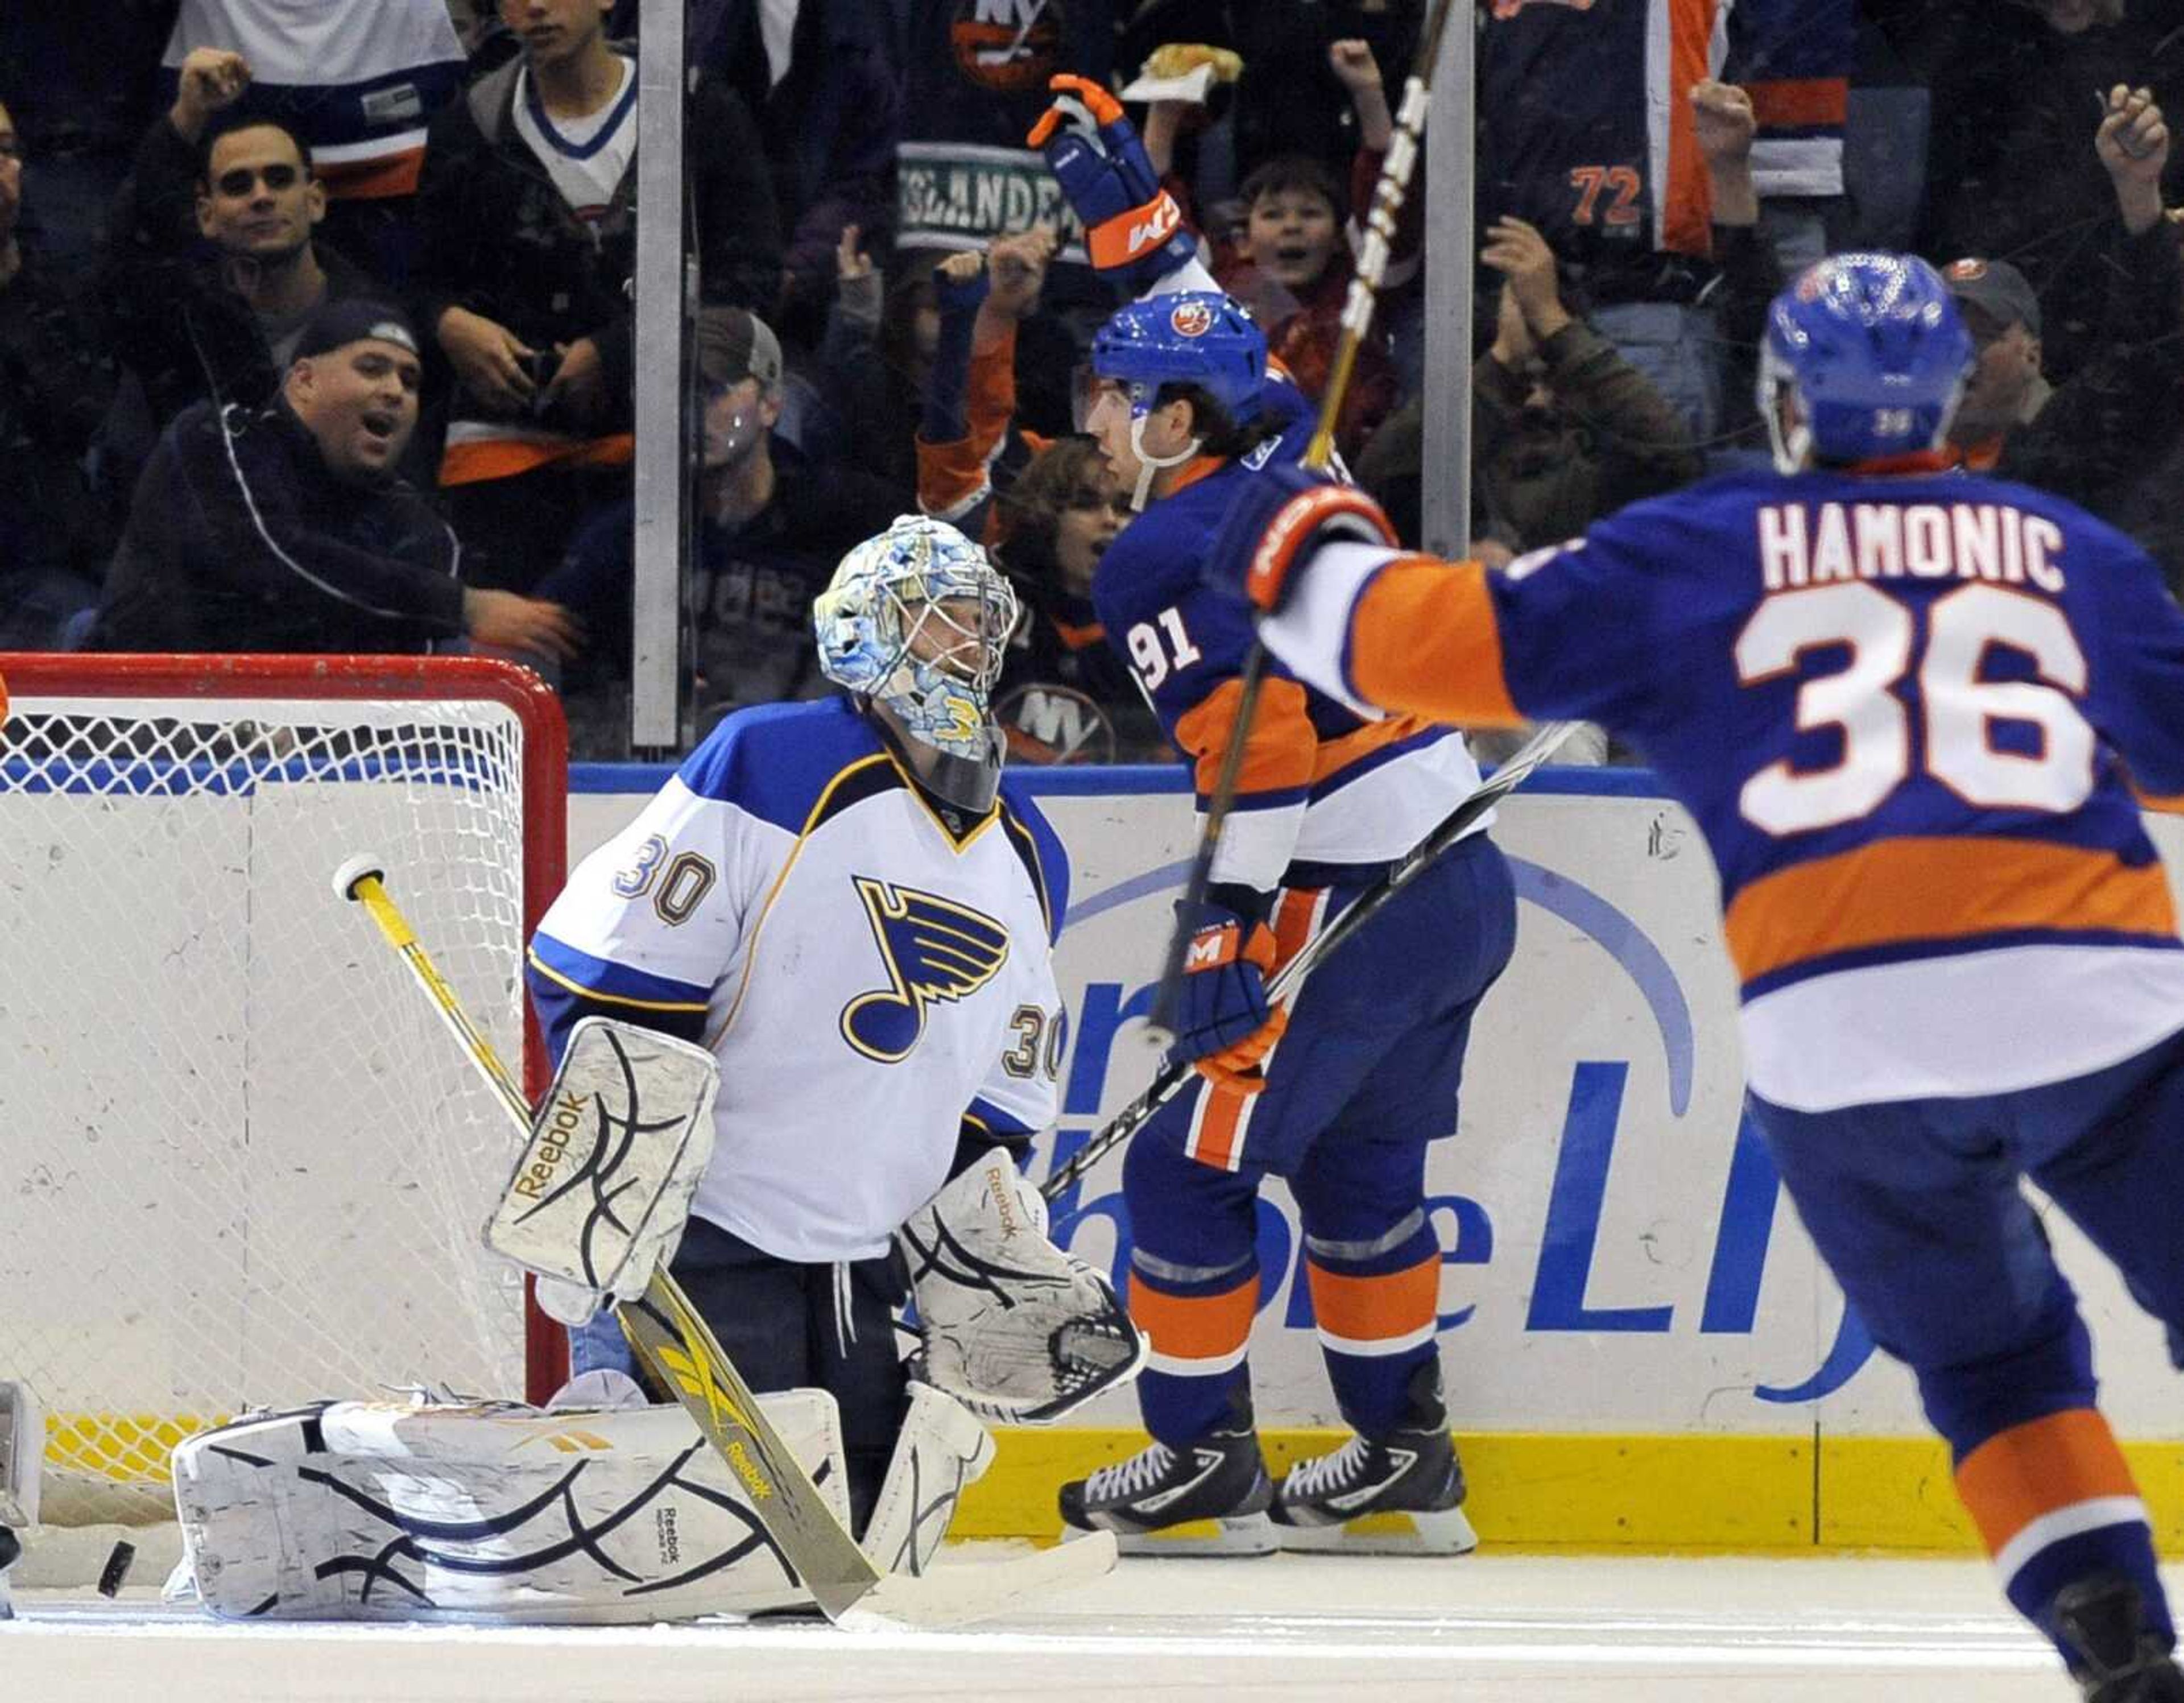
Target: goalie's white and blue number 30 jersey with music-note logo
{"points": [[868, 975]]}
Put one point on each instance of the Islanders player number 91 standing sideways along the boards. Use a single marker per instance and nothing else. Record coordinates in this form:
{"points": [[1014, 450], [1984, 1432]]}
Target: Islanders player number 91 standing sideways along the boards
{"points": [[1338, 1097]]}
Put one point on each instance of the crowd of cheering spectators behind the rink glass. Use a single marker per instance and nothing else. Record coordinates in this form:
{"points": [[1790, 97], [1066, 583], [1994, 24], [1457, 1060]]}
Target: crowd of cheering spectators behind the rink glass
{"points": [[320, 335]]}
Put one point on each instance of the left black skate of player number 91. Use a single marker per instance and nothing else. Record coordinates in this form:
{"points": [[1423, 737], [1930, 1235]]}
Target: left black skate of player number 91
{"points": [[1207, 1499]]}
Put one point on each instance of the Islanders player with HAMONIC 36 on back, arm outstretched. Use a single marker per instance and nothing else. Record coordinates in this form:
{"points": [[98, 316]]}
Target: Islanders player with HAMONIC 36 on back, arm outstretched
{"points": [[1916, 717]]}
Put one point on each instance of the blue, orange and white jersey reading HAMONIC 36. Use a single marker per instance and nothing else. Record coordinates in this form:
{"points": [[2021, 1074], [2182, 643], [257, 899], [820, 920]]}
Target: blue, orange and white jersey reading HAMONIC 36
{"points": [[1908, 713]]}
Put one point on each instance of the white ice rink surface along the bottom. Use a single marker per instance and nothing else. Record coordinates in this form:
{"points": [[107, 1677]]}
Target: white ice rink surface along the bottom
{"points": [[1488, 1630]]}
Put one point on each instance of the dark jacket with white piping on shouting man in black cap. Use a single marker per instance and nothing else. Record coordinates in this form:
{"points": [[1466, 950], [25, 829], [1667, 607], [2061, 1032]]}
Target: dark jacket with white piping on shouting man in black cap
{"points": [[241, 540]]}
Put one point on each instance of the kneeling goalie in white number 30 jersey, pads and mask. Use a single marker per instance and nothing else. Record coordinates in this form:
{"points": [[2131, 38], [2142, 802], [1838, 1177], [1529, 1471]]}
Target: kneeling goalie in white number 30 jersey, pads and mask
{"points": [[805, 1010]]}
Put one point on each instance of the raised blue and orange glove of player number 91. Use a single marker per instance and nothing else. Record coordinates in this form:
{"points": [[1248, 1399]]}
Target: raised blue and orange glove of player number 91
{"points": [[1135, 230]]}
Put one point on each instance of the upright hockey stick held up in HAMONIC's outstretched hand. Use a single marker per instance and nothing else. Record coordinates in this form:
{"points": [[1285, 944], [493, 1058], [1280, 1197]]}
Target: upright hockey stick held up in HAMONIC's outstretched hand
{"points": [[1357, 320]]}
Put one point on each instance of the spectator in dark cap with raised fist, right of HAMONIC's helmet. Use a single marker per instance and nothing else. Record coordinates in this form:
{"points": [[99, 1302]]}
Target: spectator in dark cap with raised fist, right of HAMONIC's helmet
{"points": [[2104, 429]]}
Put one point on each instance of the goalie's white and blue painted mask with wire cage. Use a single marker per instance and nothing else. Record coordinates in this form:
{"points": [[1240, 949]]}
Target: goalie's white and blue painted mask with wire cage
{"points": [[921, 621]]}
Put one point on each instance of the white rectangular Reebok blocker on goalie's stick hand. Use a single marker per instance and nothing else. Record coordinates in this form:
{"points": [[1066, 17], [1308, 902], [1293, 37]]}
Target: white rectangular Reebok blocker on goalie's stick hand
{"points": [[604, 1187]]}
